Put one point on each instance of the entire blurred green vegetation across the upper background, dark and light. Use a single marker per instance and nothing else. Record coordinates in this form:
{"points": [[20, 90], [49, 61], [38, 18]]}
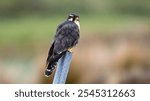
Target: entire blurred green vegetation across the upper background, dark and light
{"points": [[105, 15]]}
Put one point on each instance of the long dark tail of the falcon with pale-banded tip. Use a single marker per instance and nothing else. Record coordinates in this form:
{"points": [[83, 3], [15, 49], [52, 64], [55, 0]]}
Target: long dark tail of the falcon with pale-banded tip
{"points": [[52, 63]]}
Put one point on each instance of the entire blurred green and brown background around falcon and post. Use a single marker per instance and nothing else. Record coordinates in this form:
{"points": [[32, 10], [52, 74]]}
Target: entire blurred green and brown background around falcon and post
{"points": [[114, 45]]}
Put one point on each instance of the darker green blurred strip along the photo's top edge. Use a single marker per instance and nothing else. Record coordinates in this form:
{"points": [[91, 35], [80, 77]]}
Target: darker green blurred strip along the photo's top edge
{"points": [[11, 8]]}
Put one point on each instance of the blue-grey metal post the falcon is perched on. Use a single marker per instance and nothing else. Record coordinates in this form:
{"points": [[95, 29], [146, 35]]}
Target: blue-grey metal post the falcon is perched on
{"points": [[62, 69]]}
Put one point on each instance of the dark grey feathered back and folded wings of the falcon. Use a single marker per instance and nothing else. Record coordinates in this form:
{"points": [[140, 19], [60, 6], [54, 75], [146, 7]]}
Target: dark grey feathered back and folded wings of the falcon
{"points": [[66, 37]]}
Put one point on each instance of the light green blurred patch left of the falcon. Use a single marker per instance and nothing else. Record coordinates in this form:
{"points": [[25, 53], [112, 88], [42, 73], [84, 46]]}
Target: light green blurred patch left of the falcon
{"points": [[26, 29]]}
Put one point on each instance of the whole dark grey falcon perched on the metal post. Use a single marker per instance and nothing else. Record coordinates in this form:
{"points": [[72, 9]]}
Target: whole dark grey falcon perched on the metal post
{"points": [[66, 37]]}
